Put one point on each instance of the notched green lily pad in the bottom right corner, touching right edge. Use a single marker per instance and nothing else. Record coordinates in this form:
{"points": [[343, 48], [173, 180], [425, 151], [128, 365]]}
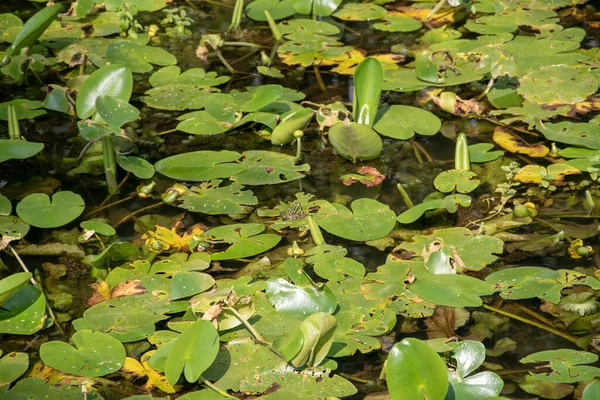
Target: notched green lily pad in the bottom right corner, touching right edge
{"points": [[566, 365]]}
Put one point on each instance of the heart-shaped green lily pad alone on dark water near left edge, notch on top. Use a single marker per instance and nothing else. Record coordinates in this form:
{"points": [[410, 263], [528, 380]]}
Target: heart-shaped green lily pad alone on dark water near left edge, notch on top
{"points": [[39, 211]]}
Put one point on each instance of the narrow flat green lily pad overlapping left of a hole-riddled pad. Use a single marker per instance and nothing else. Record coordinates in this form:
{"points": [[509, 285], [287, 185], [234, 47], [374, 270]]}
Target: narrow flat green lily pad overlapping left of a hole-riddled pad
{"points": [[201, 165]]}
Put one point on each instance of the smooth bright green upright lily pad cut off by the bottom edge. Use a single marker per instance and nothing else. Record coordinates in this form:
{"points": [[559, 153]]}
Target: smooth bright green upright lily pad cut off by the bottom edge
{"points": [[414, 371]]}
